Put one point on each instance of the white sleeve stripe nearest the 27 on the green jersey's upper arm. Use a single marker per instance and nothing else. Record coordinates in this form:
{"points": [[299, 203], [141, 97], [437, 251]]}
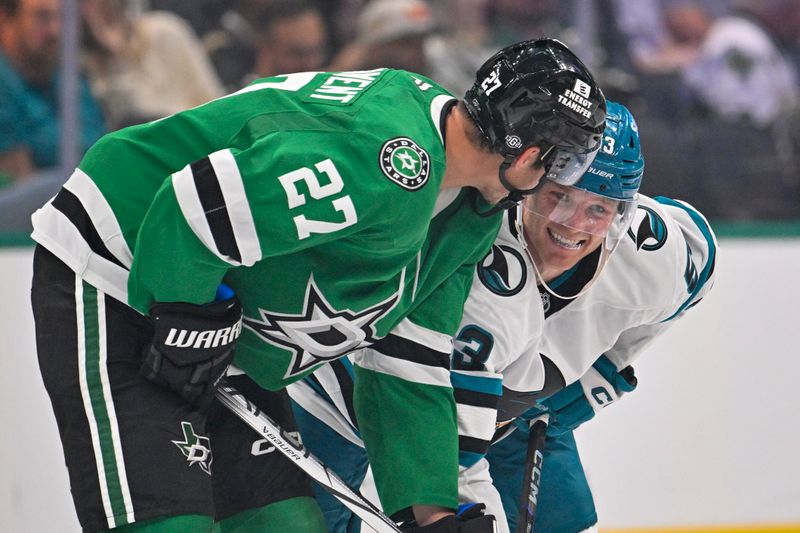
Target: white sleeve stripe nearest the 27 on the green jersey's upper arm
{"points": [[244, 228]]}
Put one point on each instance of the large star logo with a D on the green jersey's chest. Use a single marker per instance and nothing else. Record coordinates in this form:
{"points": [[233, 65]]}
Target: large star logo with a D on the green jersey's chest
{"points": [[320, 333]]}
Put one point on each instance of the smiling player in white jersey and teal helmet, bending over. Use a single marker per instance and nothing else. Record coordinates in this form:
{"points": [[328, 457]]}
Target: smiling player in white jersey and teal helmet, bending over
{"points": [[578, 282]]}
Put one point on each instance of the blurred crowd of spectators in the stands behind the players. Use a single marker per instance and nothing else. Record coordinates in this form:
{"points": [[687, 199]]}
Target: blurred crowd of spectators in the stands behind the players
{"points": [[714, 84]]}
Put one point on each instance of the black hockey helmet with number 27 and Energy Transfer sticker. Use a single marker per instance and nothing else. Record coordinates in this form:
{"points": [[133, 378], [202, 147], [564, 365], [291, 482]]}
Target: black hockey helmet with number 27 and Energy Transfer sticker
{"points": [[538, 92]]}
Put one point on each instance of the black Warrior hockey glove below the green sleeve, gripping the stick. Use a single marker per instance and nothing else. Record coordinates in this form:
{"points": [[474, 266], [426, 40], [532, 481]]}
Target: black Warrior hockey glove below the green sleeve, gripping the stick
{"points": [[192, 346]]}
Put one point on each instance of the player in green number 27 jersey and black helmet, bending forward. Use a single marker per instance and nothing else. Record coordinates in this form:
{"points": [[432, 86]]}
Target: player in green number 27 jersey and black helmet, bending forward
{"points": [[345, 210]]}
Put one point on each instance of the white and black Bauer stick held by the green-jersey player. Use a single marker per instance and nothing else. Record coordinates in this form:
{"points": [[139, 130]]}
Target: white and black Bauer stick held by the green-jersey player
{"points": [[296, 452]]}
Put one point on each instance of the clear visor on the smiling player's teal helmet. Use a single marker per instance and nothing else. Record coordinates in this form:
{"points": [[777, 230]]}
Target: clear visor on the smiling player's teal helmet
{"points": [[582, 211]]}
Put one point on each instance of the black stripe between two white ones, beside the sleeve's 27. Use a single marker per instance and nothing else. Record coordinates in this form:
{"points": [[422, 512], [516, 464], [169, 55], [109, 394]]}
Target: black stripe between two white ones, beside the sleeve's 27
{"points": [[209, 192]]}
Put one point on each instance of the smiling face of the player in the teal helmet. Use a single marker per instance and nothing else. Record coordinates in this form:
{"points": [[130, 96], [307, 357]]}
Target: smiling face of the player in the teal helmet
{"points": [[565, 224]]}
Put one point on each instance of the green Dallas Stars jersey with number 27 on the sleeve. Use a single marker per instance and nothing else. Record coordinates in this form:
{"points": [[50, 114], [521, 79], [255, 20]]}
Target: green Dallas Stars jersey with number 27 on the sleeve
{"points": [[316, 197]]}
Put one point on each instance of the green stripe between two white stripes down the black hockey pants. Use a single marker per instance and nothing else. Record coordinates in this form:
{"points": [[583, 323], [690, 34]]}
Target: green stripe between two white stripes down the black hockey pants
{"points": [[95, 387]]}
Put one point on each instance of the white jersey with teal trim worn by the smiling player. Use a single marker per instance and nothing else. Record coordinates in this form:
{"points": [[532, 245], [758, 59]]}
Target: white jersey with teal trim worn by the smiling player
{"points": [[514, 334]]}
